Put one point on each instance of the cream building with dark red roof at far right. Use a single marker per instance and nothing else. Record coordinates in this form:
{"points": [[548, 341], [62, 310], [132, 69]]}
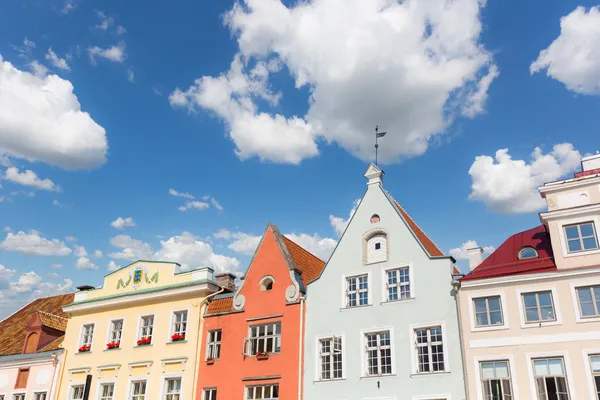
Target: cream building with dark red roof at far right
{"points": [[530, 313]]}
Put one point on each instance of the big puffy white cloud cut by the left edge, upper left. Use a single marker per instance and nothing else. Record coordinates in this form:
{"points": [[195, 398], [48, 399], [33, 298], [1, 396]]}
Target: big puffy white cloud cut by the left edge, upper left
{"points": [[41, 120]]}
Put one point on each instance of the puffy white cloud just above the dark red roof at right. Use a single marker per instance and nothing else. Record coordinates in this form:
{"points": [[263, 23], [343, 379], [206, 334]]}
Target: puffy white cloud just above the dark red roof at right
{"points": [[510, 186]]}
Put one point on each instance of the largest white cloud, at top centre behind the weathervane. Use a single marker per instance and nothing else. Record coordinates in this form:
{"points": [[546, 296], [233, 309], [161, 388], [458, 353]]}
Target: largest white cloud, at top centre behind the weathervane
{"points": [[428, 67]]}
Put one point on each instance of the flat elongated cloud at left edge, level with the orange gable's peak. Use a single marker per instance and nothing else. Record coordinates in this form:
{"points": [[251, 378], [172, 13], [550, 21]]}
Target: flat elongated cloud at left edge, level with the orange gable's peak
{"points": [[34, 244]]}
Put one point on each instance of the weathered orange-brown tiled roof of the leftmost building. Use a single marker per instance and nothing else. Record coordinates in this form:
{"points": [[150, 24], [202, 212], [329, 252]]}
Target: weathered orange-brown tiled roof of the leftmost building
{"points": [[12, 329]]}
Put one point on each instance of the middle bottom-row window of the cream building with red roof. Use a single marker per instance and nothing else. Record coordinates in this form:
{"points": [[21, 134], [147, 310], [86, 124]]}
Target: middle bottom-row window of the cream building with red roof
{"points": [[551, 379]]}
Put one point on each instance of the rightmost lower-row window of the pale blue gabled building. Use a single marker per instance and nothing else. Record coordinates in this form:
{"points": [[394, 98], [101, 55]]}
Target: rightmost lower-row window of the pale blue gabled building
{"points": [[430, 349]]}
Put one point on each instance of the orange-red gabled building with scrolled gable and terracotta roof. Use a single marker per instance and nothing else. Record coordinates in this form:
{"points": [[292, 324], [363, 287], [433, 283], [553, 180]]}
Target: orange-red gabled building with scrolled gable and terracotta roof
{"points": [[253, 337]]}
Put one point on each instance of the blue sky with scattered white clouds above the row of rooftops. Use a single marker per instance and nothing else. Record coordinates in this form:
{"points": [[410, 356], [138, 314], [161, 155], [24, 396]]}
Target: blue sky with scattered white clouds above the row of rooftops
{"points": [[203, 121]]}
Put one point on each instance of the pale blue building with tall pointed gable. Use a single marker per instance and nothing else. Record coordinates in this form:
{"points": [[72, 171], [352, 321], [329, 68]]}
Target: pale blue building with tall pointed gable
{"points": [[382, 318]]}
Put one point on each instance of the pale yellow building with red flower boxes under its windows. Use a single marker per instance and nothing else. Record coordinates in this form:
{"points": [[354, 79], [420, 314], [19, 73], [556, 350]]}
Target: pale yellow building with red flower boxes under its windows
{"points": [[136, 337]]}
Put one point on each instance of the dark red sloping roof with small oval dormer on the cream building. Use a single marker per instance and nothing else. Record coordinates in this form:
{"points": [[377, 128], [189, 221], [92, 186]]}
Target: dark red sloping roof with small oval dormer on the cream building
{"points": [[505, 260]]}
